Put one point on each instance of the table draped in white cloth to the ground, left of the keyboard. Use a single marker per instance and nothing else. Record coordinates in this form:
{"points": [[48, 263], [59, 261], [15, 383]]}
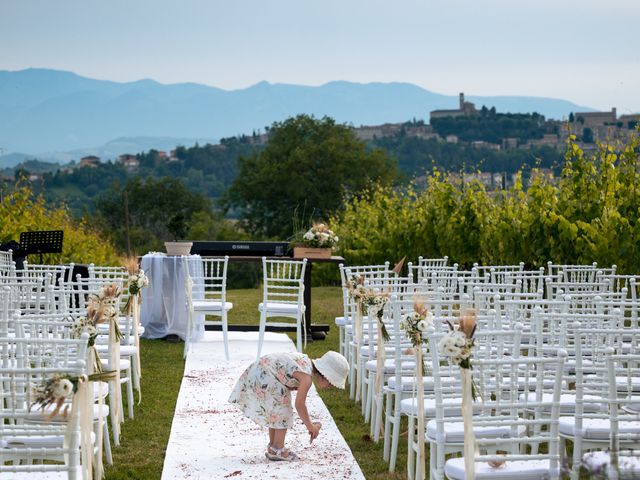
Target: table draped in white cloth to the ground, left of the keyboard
{"points": [[164, 310]]}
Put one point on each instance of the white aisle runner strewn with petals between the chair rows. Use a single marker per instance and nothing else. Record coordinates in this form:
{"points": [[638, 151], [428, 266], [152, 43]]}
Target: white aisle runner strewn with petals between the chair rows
{"points": [[211, 439]]}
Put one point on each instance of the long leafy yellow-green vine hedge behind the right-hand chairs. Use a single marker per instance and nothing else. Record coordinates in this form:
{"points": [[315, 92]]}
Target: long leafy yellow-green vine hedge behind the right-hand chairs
{"points": [[591, 214]]}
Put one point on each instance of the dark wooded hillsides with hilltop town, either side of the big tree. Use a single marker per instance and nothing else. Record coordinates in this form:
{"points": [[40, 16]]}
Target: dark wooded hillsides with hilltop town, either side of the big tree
{"points": [[480, 144]]}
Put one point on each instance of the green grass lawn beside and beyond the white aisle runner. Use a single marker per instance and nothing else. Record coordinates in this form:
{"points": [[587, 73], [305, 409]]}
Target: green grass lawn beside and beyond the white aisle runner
{"points": [[144, 439]]}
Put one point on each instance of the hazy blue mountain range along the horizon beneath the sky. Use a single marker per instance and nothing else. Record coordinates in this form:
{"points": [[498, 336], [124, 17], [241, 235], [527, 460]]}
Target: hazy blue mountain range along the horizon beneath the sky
{"points": [[47, 111]]}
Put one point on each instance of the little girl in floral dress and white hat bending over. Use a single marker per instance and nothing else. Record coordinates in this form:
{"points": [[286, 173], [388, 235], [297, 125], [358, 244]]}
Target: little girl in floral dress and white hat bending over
{"points": [[263, 392]]}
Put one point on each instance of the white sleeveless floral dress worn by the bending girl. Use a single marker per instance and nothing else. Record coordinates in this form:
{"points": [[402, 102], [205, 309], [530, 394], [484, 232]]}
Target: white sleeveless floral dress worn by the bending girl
{"points": [[263, 390]]}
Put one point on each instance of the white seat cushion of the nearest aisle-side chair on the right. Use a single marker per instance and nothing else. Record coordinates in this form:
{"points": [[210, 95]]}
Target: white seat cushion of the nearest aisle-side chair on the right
{"points": [[520, 469]]}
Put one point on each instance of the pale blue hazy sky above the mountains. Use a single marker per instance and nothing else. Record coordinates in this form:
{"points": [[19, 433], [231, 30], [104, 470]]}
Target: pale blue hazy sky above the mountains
{"points": [[585, 51]]}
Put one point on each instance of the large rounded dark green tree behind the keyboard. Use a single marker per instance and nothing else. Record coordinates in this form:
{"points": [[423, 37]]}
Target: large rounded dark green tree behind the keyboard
{"points": [[307, 169]]}
